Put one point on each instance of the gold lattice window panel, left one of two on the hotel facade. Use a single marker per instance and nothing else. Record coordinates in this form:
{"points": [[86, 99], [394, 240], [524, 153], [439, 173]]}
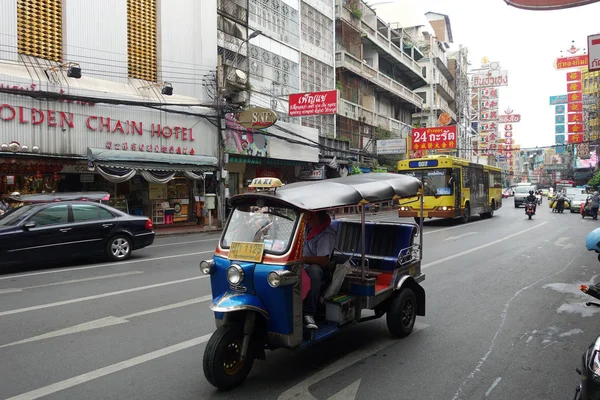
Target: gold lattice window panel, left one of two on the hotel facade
{"points": [[39, 28]]}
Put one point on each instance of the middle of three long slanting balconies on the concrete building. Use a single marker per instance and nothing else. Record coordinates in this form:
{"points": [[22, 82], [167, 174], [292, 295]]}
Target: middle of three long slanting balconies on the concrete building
{"points": [[345, 60]]}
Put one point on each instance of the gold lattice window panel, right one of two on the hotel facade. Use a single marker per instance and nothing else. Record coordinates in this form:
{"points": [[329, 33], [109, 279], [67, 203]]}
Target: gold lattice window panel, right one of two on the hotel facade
{"points": [[141, 39]]}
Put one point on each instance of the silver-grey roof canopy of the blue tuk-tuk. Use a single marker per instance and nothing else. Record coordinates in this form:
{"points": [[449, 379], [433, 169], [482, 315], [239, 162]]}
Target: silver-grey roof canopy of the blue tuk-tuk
{"points": [[338, 192]]}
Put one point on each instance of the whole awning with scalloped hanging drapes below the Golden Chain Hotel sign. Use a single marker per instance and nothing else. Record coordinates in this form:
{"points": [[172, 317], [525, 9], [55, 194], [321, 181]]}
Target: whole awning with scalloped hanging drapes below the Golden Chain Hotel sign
{"points": [[120, 166]]}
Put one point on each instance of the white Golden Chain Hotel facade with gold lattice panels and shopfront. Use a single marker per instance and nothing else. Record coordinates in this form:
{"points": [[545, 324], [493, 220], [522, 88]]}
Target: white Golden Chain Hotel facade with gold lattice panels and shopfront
{"points": [[113, 100]]}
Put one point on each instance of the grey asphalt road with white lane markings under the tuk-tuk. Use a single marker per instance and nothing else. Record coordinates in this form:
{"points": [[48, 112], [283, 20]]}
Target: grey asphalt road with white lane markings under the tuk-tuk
{"points": [[505, 320]]}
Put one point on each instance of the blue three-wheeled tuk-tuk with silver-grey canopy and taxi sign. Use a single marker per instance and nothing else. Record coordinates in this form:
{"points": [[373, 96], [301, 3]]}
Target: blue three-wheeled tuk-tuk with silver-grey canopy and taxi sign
{"points": [[256, 272]]}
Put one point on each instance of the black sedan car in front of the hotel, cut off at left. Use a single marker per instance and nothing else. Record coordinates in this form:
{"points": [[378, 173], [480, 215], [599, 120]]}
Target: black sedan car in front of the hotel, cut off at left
{"points": [[67, 229]]}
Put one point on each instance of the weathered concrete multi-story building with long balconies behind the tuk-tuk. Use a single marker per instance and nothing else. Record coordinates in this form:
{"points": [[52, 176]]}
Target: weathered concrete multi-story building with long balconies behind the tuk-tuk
{"points": [[376, 73]]}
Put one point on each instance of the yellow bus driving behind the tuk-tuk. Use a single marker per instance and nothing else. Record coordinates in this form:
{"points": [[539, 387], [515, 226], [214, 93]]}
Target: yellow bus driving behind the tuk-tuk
{"points": [[454, 188]]}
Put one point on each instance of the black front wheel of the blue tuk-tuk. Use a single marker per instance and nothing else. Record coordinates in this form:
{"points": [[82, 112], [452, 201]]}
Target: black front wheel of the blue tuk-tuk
{"points": [[223, 367]]}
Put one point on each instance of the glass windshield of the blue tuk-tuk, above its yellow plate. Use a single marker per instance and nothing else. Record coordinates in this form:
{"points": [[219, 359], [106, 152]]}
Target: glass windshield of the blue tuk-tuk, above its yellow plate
{"points": [[273, 226]]}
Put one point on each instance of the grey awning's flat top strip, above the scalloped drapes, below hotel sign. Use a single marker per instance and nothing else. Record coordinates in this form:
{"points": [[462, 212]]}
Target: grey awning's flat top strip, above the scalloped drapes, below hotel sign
{"points": [[151, 161]]}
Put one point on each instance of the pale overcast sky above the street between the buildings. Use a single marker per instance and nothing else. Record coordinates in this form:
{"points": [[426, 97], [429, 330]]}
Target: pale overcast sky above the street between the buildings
{"points": [[525, 43]]}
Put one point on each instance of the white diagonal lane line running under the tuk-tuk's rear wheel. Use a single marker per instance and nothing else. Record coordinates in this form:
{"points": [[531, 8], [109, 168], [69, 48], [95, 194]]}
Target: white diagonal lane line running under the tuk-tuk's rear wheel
{"points": [[300, 391]]}
